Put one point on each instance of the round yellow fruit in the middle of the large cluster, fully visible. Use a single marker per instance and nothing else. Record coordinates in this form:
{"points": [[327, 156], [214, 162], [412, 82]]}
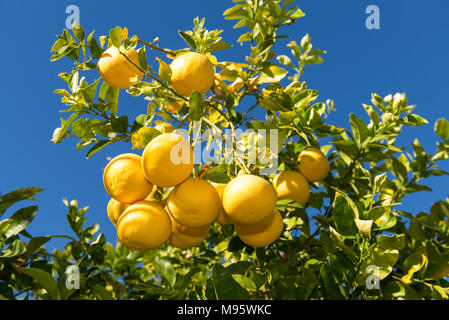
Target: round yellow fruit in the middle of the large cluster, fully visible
{"points": [[194, 203]]}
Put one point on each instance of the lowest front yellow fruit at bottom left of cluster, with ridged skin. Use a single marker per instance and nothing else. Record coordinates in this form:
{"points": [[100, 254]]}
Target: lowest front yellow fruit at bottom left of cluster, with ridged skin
{"points": [[144, 225]]}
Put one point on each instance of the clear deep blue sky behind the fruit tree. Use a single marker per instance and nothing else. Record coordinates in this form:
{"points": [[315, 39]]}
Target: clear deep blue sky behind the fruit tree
{"points": [[408, 54]]}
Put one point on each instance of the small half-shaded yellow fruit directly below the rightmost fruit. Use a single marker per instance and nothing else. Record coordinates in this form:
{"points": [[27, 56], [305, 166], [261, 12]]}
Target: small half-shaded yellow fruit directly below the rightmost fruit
{"points": [[292, 185]]}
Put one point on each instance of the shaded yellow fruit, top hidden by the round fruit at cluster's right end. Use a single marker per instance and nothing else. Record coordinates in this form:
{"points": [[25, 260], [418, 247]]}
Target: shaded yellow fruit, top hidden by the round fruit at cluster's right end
{"points": [[262, 233]]}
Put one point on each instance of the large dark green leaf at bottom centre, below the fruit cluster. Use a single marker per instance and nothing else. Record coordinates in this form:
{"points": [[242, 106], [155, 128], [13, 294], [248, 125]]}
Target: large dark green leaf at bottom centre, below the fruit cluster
{"points": [[224, 285]]}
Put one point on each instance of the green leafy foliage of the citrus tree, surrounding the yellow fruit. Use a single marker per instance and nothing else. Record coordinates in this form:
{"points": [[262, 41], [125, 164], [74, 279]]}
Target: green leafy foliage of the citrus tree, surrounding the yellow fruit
{"points": [[352, 222]]}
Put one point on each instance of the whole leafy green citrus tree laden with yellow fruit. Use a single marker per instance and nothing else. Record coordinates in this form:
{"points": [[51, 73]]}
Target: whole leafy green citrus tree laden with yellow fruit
{"points": [[327, 225]]}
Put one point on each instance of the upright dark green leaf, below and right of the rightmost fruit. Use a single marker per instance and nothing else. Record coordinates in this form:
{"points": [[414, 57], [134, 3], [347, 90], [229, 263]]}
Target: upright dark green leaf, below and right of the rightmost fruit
{"points": [[344, 217]]}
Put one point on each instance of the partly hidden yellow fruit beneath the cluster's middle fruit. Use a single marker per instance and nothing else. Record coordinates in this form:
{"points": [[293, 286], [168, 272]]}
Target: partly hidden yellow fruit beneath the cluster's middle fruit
{"points": [[184, 237]]}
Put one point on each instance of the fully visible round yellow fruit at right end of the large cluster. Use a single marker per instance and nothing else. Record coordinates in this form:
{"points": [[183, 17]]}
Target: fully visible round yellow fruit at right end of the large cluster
{"points": [[249, 199]]}
